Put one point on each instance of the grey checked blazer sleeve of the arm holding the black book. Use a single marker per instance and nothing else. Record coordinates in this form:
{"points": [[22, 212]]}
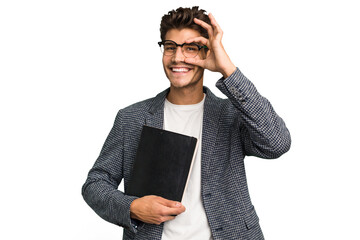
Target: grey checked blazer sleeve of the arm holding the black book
{"points": [[100, 191]]}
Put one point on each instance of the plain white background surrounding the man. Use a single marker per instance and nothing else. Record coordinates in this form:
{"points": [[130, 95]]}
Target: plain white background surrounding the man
{"points": [[67, 67]]}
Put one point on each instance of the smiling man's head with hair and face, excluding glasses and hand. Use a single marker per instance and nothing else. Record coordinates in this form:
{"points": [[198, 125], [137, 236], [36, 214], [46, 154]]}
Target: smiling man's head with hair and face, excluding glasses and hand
{"points": [[178, 26]]}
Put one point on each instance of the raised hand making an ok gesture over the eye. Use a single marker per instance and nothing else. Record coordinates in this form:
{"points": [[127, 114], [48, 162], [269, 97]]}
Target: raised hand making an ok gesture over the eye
{"points": [[217, 59]]}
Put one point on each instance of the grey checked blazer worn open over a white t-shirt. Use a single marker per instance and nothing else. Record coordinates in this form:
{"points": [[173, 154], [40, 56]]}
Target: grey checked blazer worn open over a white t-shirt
{"points": [[243, 124]]}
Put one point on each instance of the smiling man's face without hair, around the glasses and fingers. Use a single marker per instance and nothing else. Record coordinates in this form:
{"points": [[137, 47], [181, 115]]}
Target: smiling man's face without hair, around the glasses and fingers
{"points": [[181, 74]]}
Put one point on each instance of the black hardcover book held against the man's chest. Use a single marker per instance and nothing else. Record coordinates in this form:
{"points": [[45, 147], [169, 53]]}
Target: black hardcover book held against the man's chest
{"points": [[162, 164]]}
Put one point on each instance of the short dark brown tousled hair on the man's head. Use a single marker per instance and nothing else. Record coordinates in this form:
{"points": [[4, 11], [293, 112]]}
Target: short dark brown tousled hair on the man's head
{"points": [[184, 18]]}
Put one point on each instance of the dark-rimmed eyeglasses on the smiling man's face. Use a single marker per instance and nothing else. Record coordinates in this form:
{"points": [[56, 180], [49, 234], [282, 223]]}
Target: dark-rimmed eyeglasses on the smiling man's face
{"points": [[189, 50]]}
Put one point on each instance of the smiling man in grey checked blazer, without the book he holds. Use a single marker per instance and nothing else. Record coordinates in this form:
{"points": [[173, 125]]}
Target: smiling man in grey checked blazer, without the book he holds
{"points": [[216, 204]]}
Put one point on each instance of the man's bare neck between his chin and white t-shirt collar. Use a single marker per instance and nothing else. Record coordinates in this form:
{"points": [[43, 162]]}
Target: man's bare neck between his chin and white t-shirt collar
{"points": [[186, 95]]}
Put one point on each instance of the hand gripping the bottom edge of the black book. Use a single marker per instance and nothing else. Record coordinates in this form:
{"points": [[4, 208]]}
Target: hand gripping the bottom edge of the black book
{"points": [[154, 209]]}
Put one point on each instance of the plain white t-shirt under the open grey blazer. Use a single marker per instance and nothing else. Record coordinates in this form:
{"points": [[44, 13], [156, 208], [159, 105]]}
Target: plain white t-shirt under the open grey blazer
{"points": [[191, 224]]}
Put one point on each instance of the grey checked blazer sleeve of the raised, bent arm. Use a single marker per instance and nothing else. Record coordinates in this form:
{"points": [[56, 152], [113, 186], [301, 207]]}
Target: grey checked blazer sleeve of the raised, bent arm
{"points": [[263, 133]]}
